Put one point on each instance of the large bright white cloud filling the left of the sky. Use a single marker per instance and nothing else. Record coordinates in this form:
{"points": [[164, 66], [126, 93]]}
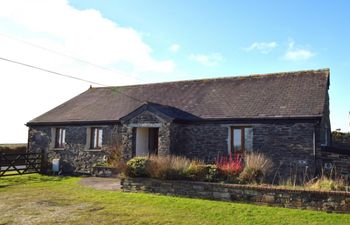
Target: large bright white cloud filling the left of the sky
{"points": [[85, 34]]}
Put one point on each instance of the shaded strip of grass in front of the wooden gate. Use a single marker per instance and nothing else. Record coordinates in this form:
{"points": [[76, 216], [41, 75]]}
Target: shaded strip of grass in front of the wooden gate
{"points": [[28, 179]]}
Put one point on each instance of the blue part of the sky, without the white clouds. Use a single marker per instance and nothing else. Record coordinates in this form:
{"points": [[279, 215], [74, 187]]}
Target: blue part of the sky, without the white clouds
{"points": [[229, 28]]}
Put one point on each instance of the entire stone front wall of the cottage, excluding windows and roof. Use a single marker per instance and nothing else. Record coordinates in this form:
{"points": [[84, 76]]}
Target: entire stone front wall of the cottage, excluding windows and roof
{"points": [[288, 144]]}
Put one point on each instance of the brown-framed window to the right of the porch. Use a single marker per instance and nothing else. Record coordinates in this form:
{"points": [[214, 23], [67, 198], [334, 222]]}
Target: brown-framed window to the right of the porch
{"points": [[241, 139]]}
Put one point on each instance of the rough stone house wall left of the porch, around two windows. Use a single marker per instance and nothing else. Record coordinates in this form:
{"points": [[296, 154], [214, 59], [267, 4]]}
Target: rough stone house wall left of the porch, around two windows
{"points": [[75, 157]]}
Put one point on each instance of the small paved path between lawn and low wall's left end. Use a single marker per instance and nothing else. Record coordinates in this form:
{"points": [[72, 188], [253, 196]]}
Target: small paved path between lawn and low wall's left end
{"points": [[101, 183]]}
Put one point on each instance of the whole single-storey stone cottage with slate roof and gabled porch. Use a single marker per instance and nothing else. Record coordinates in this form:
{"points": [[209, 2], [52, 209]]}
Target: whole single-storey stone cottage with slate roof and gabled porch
{"points": [[283, 115]]}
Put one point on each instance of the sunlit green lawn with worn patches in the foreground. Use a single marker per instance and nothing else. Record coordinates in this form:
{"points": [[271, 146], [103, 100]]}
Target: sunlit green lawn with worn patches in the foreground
{"points": [[35, 199]]}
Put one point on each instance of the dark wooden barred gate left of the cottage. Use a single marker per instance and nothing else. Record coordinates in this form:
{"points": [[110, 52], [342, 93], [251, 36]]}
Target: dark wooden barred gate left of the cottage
{"points": [[20, 163]]}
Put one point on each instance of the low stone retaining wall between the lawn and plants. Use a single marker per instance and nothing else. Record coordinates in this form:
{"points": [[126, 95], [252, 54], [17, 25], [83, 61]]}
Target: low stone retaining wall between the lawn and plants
{"points": [[300, 199]]}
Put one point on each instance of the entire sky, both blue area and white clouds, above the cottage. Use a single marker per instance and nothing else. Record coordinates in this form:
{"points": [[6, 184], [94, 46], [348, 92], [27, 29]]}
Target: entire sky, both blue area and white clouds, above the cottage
{"points": [[128, 42]]}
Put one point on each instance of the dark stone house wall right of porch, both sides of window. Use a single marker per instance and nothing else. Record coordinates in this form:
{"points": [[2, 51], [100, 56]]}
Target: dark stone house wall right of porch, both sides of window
{"points": [[288, 144]]}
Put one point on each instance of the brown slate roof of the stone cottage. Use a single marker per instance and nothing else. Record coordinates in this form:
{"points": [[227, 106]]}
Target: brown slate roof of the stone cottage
{"points": [[278, 95]]}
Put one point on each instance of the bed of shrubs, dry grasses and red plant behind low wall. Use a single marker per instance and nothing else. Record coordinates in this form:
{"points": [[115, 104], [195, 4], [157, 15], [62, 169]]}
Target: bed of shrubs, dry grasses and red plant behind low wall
{"points": [[229, 169]]}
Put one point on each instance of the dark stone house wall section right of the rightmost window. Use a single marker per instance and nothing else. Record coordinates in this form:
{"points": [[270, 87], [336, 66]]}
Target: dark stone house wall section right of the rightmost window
{"points": [[289, 146]]}
